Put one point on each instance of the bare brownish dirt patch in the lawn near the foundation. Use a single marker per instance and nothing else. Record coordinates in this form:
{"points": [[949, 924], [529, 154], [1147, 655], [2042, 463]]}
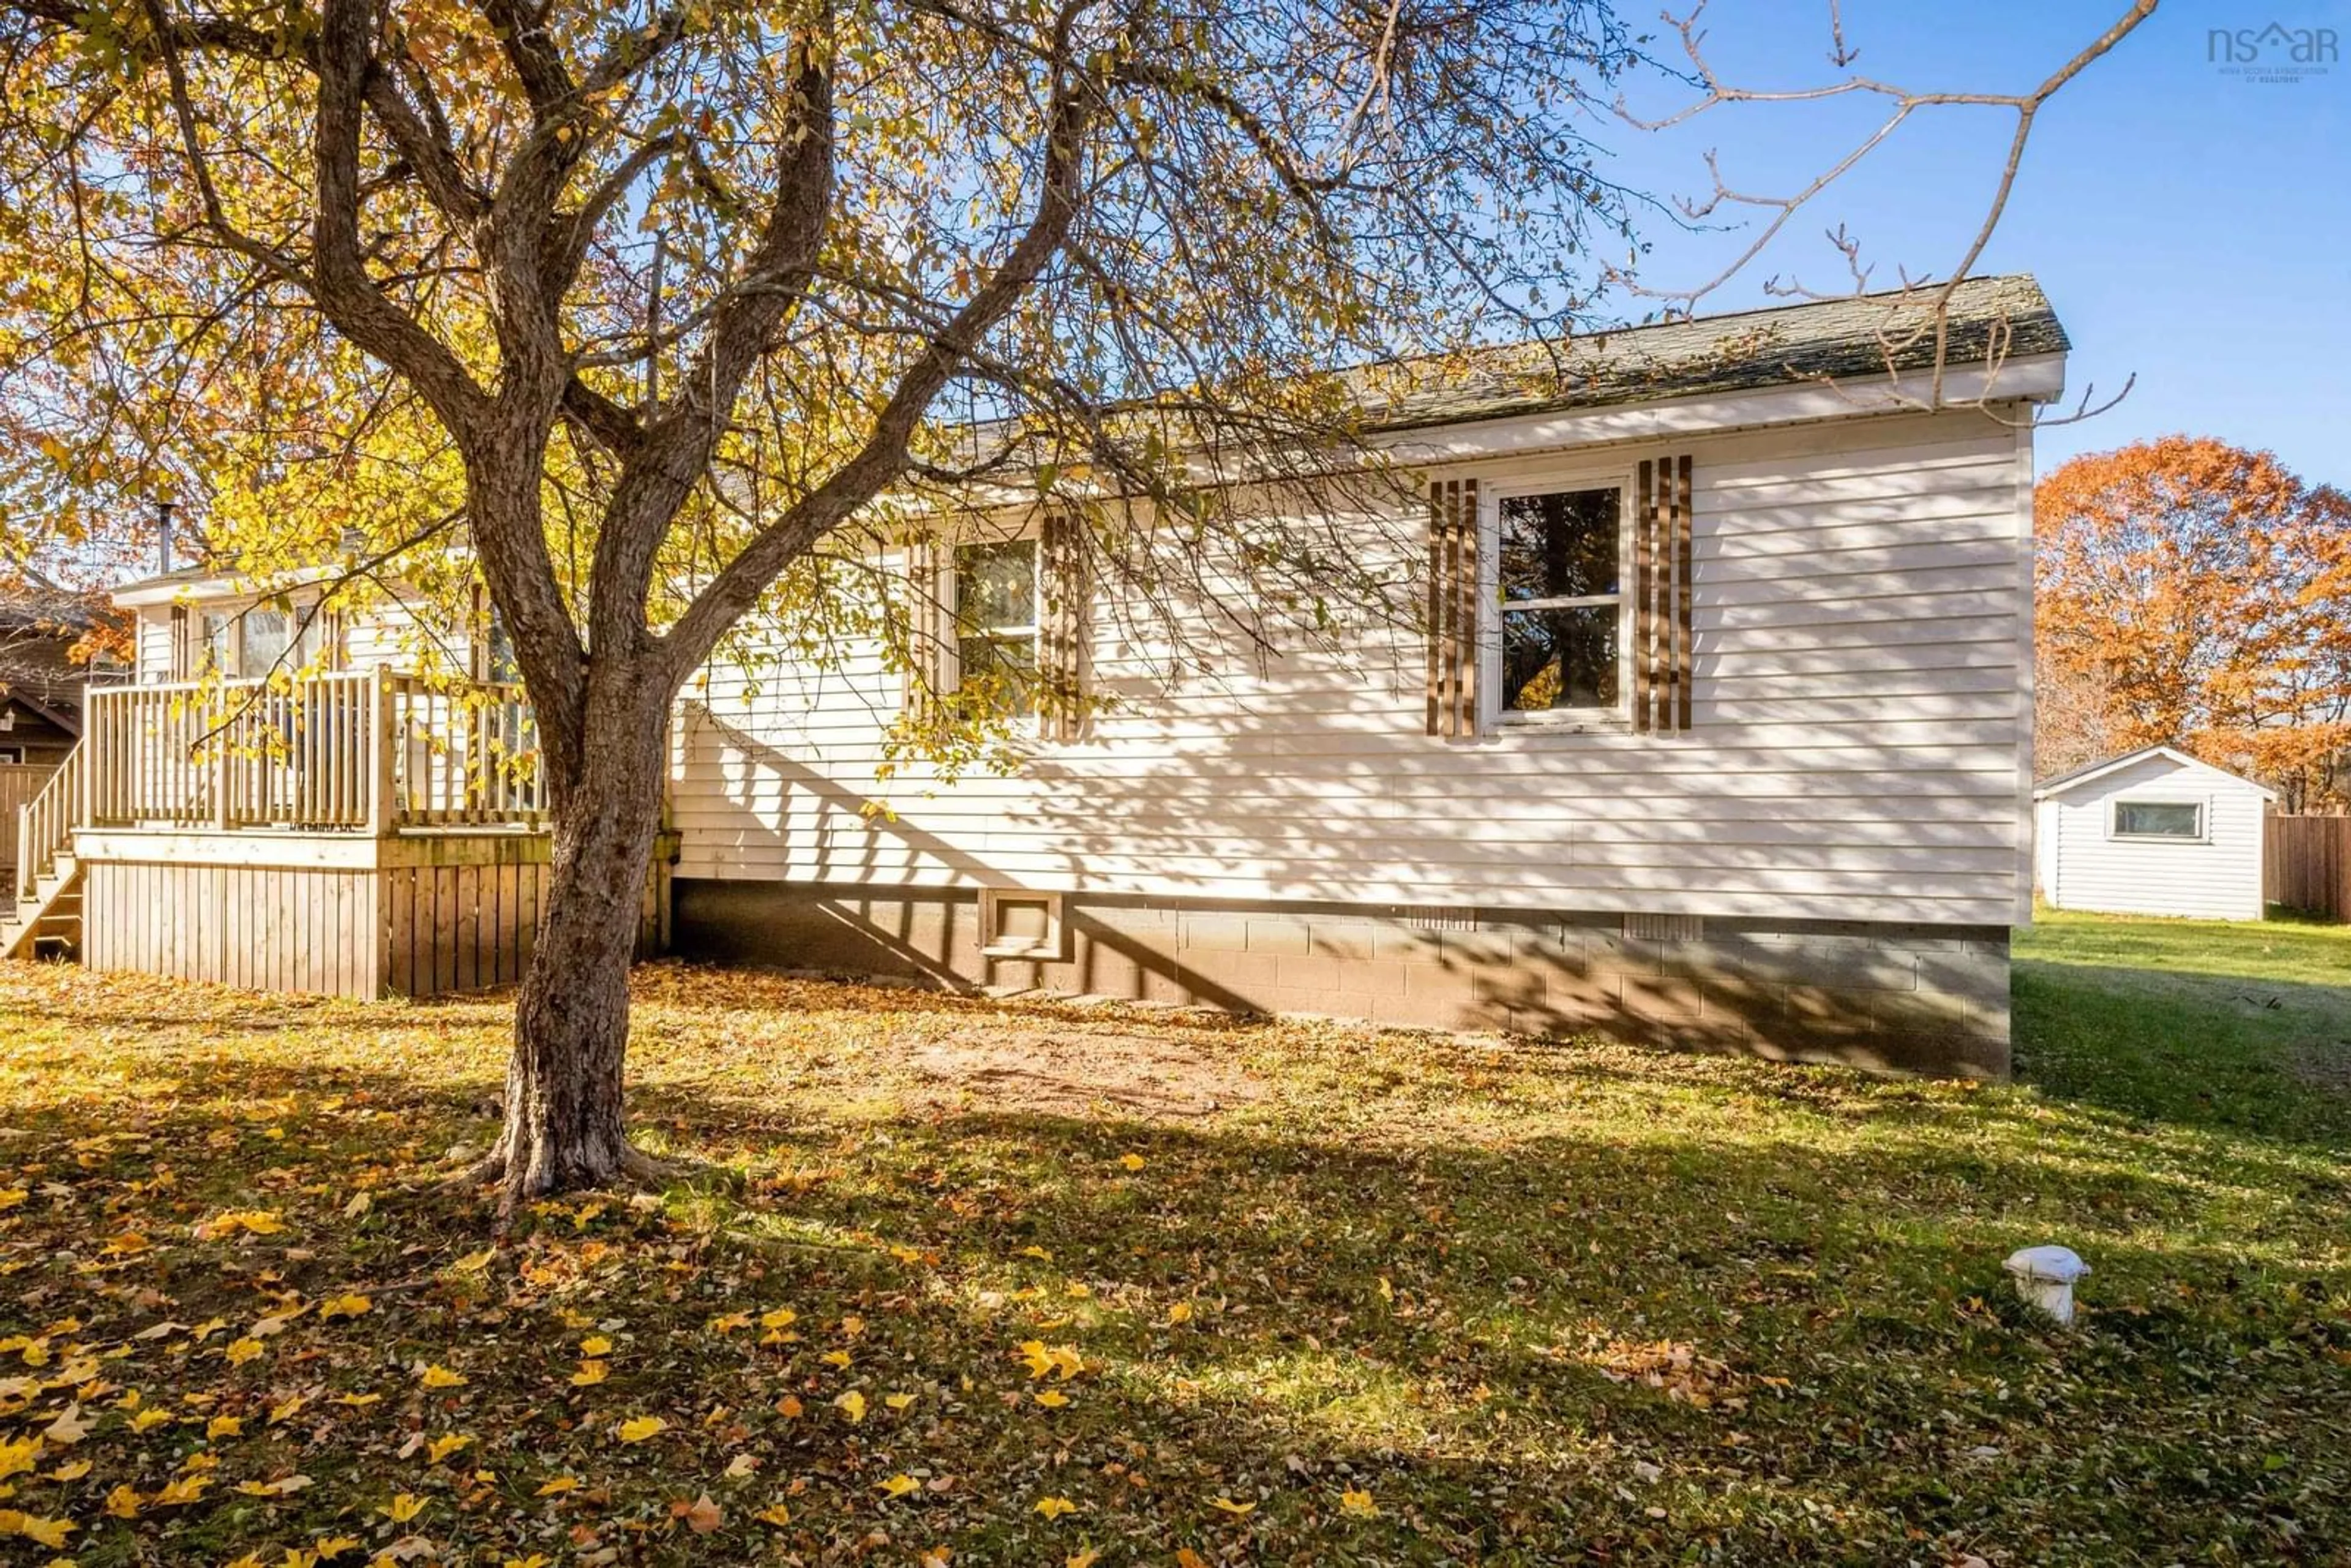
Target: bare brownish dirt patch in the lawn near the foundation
{"points": [[1071, 1073]]}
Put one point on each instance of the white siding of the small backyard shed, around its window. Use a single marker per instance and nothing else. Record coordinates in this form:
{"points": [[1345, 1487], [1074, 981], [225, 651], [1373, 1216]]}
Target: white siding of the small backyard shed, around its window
{"points": [[2089, 869]]}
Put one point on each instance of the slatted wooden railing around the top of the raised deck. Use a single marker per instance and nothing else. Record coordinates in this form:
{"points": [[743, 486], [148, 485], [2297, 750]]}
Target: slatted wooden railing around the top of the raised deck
{"points": [[326, 753]]}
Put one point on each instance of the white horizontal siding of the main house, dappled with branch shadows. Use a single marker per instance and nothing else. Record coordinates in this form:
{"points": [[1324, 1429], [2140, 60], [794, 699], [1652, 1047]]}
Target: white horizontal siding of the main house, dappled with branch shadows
{"points": [[1854, 751]]}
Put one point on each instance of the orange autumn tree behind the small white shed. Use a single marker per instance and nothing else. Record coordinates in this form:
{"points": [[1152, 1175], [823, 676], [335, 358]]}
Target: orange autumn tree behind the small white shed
{"points": [[2195, 594]]}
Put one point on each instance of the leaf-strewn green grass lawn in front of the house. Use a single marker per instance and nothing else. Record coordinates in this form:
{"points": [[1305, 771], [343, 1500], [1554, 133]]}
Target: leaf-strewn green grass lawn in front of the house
{"points": [[982, 1282]]}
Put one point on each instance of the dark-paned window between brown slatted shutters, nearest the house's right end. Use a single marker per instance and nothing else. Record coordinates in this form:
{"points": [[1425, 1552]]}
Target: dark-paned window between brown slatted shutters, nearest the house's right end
{"points": [[1560, 582]]}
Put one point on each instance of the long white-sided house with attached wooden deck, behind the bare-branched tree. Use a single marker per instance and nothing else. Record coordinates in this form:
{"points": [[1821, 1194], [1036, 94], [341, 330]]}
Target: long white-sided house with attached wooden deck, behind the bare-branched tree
{"points": [[1717, 732]]}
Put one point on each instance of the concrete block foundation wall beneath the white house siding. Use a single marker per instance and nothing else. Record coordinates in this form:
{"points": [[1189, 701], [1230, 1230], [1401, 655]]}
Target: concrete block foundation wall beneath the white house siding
{"points": [[1891, 998]]}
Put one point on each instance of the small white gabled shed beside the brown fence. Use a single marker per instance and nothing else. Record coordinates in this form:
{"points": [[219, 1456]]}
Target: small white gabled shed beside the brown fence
{"points": [[2152, 833]]}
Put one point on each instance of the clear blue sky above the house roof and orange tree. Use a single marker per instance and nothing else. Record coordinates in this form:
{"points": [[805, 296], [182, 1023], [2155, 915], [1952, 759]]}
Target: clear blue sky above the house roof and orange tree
{"points": [[2192, 227]]}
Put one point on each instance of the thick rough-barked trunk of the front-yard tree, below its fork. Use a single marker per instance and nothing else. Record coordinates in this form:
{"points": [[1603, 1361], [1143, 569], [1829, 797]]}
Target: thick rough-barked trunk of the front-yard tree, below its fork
{"points": [[563, 1087]]}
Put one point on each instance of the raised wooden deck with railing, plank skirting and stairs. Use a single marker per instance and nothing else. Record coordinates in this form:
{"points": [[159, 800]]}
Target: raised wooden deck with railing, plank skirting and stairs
{"points": [[354, 836]]}
